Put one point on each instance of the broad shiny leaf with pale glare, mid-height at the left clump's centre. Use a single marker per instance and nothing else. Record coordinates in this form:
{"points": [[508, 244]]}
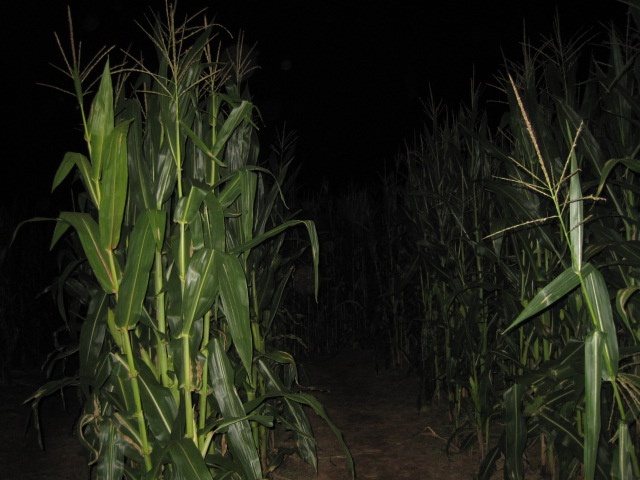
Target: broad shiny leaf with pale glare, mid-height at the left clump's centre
{"points": [[200, 288]]}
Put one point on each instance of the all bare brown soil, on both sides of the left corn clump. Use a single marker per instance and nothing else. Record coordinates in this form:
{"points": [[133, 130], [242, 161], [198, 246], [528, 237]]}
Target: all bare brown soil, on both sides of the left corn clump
{"points": [[388, 437]]}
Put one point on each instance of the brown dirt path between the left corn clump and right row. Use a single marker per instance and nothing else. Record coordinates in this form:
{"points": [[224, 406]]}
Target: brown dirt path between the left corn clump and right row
{"points": [[387, 436]]}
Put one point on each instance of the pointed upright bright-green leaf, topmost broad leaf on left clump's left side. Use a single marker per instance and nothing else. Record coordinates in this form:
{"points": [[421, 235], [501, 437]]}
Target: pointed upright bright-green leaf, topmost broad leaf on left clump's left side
{"points": [[100, 123]]}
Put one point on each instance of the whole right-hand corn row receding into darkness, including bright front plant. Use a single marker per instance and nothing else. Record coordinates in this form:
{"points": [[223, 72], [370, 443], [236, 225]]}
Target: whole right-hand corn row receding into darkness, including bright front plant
{"points": [[502, 262]]}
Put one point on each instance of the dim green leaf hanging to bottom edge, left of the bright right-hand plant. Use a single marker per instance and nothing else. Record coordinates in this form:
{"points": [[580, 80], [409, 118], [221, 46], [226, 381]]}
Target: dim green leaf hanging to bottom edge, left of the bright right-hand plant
{"points": [[516, 432]]}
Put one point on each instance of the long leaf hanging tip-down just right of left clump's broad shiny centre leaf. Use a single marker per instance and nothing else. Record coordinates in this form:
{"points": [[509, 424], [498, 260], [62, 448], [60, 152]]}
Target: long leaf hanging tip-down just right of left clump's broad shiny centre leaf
{"points": [[235, 303]]}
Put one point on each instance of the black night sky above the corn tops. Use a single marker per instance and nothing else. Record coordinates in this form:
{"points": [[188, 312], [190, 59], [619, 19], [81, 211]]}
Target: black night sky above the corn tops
{"points": [[354, 76]]}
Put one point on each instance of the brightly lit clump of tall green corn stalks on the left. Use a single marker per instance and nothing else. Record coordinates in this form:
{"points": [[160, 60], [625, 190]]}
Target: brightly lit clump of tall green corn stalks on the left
{"points": [[176, 278]]}
